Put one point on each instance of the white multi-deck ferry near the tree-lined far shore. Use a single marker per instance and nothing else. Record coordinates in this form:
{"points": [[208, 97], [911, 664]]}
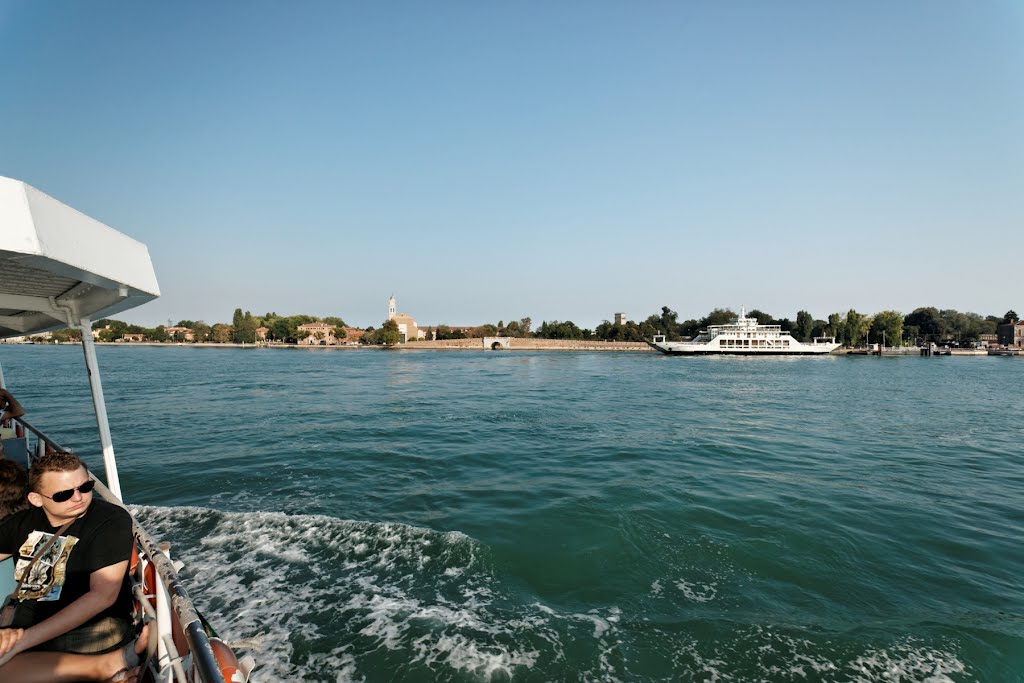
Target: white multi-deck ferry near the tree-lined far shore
{"points": [[745, 337]]}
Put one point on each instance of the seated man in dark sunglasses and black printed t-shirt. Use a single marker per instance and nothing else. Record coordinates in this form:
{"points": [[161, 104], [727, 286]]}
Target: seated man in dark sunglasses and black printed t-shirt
{"points": [[77, 599]]}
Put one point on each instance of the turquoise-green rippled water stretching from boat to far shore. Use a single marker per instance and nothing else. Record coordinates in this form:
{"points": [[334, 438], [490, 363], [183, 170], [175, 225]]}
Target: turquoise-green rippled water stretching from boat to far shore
{"points": [[475, 517]]}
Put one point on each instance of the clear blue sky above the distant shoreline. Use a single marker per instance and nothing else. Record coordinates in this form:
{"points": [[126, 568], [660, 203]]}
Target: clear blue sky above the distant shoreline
{"points": [[489, 161]]}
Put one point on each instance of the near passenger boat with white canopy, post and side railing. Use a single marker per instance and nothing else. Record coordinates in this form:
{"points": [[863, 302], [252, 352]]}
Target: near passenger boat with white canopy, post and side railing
{"points": [[61, 269]]}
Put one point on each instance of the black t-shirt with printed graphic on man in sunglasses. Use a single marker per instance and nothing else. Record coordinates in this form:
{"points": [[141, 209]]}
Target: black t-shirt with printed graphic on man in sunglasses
{"points": [[101, 538]]}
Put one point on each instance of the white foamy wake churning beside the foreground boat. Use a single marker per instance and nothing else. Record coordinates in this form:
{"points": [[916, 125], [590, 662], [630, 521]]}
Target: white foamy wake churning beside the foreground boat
{"points": [[337, 601]]}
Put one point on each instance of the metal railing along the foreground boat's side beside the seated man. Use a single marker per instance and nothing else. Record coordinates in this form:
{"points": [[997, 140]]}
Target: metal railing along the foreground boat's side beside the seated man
{"points": [[172, 594]]}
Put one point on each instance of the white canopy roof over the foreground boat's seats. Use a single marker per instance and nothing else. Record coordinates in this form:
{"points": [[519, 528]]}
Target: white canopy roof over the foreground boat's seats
{"points": [[59, 267]]}
